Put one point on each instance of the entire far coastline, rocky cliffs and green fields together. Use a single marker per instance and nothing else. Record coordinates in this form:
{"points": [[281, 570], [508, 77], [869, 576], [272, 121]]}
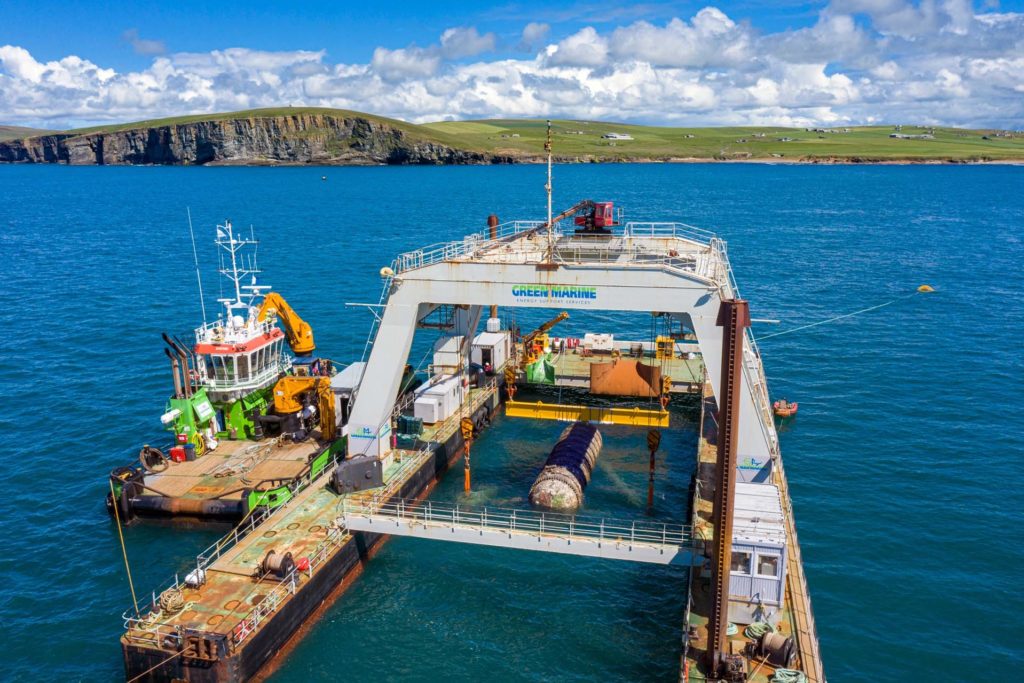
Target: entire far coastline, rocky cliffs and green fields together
{"points": [[298, 136]]}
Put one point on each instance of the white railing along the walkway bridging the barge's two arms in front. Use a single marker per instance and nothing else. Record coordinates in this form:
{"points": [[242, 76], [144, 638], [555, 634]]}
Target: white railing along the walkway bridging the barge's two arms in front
{"points": [[528, 522]]}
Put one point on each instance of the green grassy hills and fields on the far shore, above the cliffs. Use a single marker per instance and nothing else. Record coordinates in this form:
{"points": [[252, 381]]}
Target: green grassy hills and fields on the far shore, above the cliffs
{"points": [[524, 140]]}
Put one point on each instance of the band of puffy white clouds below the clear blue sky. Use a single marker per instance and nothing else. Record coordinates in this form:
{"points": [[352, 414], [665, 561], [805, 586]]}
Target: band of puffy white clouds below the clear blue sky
{"points": [[863, 61]]}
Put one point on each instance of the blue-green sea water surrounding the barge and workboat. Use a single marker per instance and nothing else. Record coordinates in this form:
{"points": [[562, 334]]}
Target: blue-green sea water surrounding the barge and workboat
{"points": [[905, 463]]}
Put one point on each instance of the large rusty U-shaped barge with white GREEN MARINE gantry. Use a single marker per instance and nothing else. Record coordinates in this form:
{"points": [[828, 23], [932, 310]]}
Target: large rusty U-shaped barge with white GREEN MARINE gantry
{"points": [[234, 614]]}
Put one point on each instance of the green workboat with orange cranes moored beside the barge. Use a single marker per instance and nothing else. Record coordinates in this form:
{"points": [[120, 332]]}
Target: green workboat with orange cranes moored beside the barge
{"points": [[249, 423]]}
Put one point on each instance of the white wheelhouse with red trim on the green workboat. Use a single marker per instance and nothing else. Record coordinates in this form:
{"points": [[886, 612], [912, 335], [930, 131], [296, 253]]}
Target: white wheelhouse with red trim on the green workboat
{"points": [[238, 357]]}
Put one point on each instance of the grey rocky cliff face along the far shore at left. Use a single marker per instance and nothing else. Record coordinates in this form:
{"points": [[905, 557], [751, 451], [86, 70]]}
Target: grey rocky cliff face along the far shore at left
{"points": [[300, 139]]}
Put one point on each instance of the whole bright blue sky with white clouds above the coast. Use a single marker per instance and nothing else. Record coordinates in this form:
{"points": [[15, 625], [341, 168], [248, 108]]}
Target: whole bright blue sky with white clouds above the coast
{"points": [[689, 64]]}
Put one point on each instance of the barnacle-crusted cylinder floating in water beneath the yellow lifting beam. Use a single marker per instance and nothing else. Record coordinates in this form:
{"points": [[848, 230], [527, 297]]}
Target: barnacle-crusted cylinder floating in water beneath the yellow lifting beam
{"points": [[567, 473]]}
